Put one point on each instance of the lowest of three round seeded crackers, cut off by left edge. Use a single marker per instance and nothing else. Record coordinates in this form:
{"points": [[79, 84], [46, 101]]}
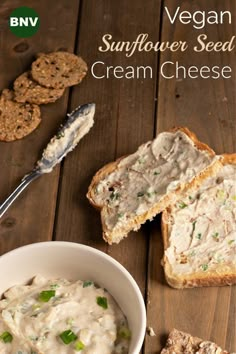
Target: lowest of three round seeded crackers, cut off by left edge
{"points": [[16, 120]]}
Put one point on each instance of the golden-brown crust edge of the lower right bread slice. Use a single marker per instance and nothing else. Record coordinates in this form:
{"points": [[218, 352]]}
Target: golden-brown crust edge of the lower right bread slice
{"points": [[220, 277]]}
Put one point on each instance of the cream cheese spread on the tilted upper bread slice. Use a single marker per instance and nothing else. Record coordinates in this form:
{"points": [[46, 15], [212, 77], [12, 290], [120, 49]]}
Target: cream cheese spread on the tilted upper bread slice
{"points": [[142, 179]]}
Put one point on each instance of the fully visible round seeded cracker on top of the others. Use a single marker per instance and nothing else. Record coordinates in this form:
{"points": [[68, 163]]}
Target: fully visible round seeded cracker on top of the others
{"points": [[58, 69]]}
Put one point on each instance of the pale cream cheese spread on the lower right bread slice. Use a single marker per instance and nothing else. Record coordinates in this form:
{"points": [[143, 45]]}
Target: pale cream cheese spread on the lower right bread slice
{"points": [[202, 227]]}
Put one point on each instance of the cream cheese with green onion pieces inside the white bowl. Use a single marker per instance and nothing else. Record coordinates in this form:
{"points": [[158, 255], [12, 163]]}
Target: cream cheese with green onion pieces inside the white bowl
{"points": [[62, 317]]}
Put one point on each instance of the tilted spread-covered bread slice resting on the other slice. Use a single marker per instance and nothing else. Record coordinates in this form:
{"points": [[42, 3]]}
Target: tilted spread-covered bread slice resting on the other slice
{"points": [[136, 188]]}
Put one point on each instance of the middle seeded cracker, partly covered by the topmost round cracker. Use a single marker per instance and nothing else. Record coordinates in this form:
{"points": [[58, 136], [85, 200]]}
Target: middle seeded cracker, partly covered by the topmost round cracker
{"points": [[28, 90]]}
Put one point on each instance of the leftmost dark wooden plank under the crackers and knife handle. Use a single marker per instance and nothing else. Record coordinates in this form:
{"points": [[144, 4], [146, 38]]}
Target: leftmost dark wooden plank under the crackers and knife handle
{"points": [[31, 217]]}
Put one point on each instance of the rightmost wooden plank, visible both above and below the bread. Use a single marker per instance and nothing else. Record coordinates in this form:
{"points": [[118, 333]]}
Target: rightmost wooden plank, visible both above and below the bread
{"points": [[207, 107]]}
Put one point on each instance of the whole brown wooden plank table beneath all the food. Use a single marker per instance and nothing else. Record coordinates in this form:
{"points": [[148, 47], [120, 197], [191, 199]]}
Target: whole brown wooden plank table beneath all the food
{"points": [[129, 112]]}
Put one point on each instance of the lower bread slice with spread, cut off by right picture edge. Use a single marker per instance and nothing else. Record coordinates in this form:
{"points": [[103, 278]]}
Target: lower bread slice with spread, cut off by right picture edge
{"points": [[199, 232]]}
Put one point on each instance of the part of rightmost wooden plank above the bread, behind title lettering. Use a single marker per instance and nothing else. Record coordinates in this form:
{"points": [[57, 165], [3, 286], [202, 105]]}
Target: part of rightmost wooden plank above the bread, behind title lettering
{"points": [[206, 106]]}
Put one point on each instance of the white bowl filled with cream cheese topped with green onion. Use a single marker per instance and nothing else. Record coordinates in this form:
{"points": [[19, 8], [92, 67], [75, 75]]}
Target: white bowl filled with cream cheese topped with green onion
{"points": [[66, 297]]}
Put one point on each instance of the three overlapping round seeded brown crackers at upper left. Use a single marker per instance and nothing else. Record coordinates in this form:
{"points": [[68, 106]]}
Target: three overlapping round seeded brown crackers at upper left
{"points": [[46, 82]]}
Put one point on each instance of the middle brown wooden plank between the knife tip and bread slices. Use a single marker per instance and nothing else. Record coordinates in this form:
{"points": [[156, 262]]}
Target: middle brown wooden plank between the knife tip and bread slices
{"points": [[124, 119]]}
